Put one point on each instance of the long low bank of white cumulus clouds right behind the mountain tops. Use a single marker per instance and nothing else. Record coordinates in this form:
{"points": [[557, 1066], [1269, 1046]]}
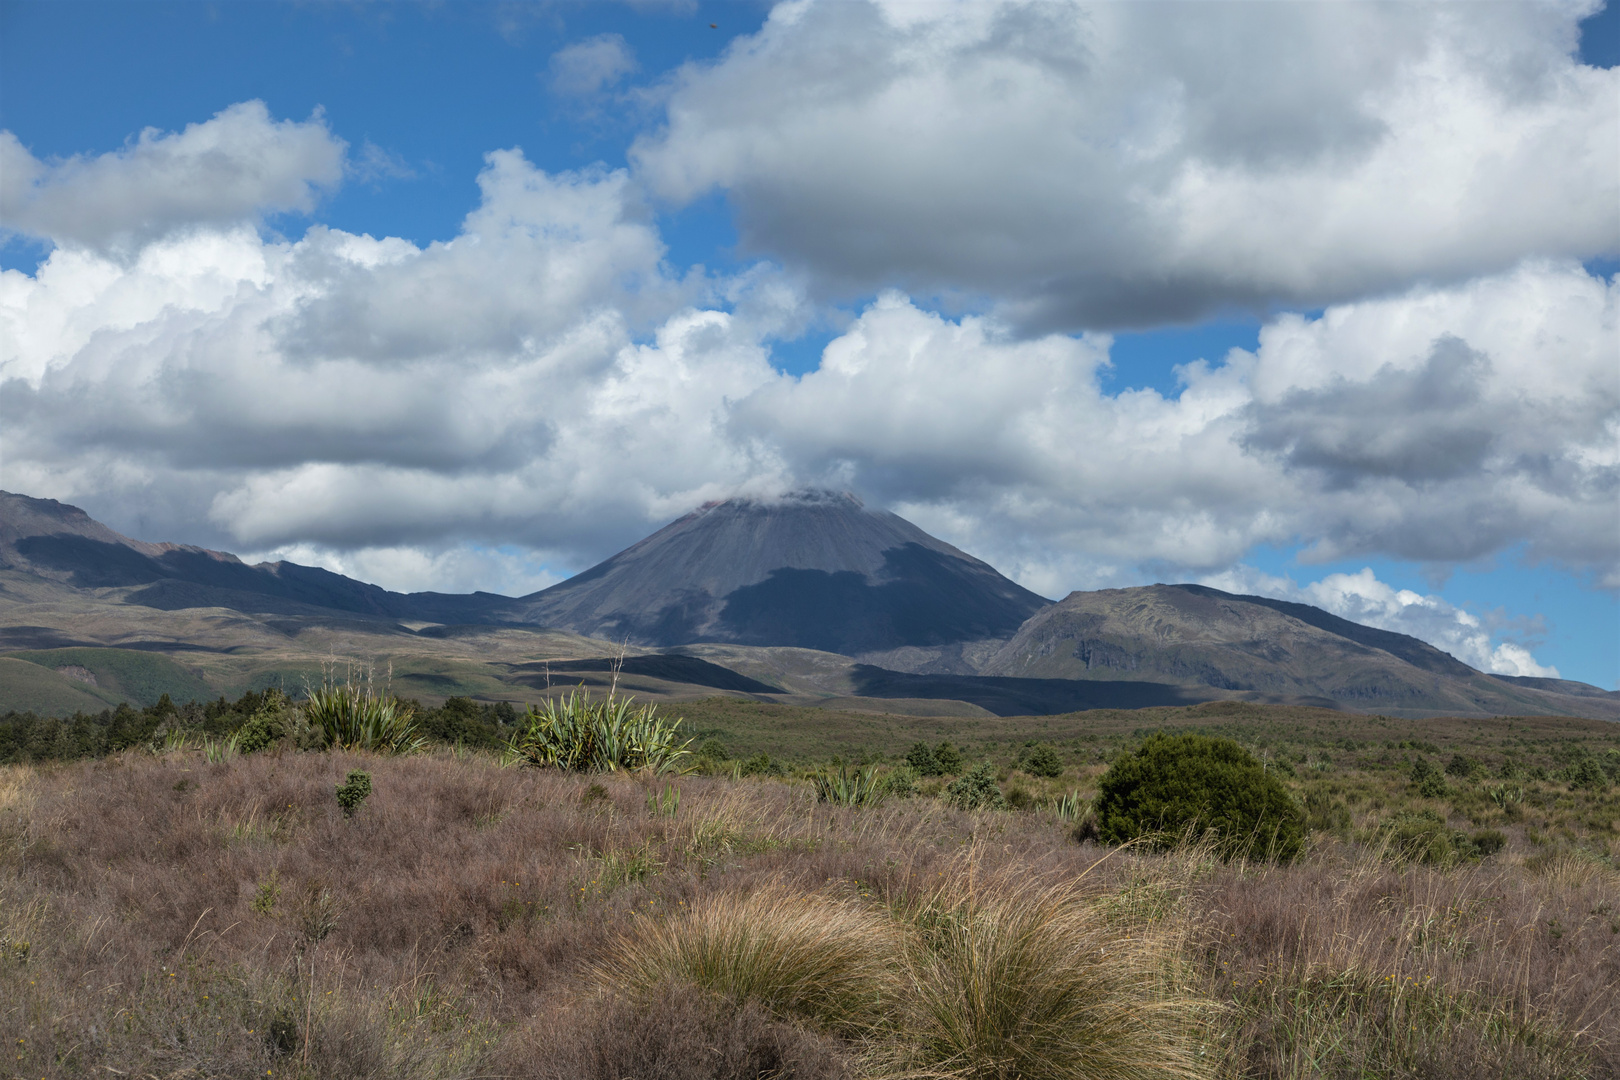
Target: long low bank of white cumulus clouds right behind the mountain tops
{"points": [[545, 386]]}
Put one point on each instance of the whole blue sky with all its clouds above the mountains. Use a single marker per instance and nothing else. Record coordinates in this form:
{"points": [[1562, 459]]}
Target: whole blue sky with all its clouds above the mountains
{"points": [[1030, 287]]}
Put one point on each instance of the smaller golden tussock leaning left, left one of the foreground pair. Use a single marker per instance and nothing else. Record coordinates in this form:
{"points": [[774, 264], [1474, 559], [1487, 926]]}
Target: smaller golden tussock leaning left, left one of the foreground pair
{"points": [[795, 956]]}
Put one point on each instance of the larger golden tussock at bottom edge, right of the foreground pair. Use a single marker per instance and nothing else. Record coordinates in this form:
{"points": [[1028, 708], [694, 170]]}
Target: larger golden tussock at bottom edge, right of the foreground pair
{"points": [[1010, 985]]}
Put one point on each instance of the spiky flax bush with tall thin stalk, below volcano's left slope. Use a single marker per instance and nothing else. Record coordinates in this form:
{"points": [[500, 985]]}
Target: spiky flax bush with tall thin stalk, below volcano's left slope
{"points": [[607, 736]]}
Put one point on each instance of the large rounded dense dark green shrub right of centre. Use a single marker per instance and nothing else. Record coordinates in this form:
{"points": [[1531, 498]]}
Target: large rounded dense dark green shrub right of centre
{"points": [[1193, 784]]}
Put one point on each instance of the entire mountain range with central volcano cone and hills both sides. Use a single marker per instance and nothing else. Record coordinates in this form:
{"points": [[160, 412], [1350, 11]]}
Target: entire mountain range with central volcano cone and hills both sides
{"points": [[892, 613]]}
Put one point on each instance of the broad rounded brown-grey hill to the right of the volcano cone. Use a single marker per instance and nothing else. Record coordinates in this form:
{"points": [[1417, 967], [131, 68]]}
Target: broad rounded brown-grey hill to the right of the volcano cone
{"points": [[1198, 637]]}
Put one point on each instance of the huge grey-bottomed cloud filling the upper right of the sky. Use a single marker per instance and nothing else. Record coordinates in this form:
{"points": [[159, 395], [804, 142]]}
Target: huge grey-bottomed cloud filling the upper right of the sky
{"points": [[1093, 166]]}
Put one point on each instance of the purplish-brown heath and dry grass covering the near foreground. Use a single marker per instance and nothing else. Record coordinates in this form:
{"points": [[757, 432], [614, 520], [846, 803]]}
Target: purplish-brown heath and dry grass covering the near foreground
{"points": [[171, 917]]}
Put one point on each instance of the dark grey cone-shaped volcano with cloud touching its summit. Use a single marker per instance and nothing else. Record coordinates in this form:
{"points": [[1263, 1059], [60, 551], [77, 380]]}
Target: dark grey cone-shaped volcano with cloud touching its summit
{"points": [[816, 571]]}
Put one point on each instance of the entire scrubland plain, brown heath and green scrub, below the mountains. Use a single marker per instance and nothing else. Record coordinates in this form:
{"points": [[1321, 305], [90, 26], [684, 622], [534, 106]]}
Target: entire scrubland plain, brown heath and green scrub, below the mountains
{"points": [[182, 909]]}
